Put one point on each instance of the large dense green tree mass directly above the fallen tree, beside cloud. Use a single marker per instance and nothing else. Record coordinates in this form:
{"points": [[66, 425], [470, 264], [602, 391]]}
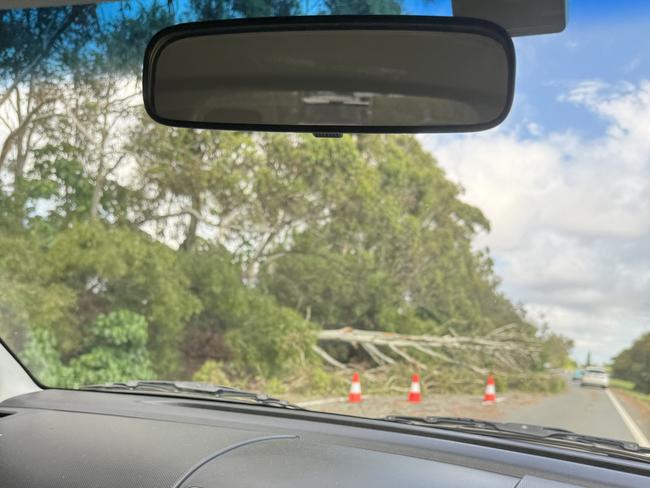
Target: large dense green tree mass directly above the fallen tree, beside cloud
{"points": [[390, 243]]}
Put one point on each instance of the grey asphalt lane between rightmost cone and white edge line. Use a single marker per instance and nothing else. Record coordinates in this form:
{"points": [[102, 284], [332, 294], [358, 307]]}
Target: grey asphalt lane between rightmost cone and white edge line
{"points": [[581, 409]]}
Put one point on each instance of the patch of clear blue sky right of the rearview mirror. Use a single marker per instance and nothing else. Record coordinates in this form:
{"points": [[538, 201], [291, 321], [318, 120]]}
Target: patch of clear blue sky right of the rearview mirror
{"points": [[604, 40]]}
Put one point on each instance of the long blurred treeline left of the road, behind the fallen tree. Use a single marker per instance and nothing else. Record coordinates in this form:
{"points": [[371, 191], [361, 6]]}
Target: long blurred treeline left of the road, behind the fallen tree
{"points": [[129, 249]]}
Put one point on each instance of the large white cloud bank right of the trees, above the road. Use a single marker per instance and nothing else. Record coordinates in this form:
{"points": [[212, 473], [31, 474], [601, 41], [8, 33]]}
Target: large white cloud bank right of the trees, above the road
{"points": [[570, 215]]}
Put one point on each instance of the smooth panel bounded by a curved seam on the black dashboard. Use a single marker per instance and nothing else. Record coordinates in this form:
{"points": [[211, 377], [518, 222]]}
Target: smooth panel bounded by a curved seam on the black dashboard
{"points": [[299, 463]]}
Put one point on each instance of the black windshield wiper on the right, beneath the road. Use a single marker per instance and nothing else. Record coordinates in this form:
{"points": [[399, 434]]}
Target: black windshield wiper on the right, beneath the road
{"points": [[530, 432]]}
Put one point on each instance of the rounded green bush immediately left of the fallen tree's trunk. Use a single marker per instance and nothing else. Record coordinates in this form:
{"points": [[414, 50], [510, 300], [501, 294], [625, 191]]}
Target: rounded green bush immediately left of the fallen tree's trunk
{"points": [[242, 328]]}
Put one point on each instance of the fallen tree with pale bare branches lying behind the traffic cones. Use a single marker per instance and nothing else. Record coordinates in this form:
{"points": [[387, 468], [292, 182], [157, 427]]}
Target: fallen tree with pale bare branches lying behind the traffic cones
{"points": [[502, 347]]}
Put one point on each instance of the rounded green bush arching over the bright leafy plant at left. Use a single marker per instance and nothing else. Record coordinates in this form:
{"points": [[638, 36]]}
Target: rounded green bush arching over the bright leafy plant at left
{"points": [[120, 268]]}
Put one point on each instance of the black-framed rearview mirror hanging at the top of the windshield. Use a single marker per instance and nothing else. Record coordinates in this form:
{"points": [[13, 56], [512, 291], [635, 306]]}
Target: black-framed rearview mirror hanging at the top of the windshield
{"points": [[331, 74]]}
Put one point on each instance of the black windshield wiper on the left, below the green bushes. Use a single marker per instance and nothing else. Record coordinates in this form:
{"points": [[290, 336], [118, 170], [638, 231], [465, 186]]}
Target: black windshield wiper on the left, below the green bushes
{"points": [[192, 388]]}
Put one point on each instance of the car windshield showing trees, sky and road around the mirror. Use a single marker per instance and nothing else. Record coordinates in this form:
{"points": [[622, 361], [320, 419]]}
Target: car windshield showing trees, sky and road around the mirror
{"points": [[473, 275]]}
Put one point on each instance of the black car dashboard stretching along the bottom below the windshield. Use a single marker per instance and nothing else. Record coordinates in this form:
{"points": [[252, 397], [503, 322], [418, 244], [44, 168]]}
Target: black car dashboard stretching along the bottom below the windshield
{"points": [[61, 438]]}
